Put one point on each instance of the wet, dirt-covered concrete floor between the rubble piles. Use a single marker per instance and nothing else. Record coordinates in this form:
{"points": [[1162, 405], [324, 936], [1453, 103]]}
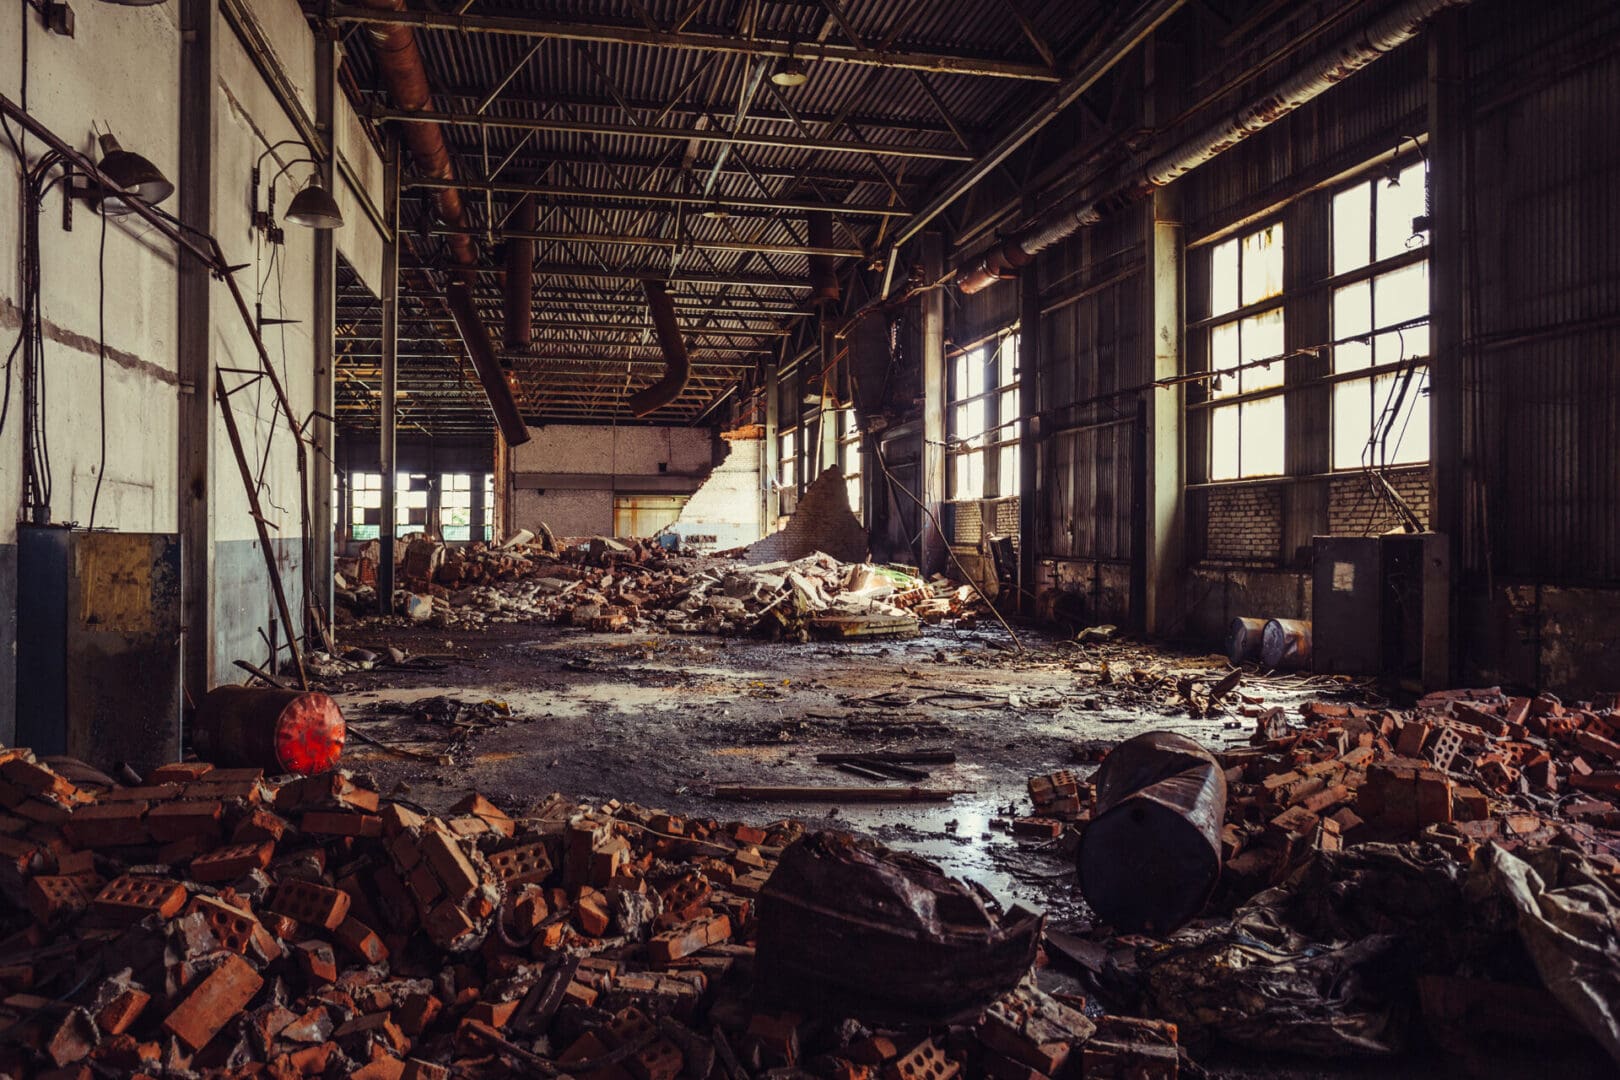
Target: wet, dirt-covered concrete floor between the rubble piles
{"points": [[662, 720]]}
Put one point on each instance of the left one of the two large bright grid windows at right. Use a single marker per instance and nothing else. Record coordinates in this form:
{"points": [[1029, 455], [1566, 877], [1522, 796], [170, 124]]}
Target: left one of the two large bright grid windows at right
{"points": [[1247, 433]]}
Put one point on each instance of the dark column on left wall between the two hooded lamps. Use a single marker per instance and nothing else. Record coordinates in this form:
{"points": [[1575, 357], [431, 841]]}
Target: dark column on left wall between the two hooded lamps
{"points": [[195, 521]]}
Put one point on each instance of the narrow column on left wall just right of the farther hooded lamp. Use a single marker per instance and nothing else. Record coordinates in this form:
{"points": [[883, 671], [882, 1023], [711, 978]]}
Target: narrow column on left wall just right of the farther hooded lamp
{"points": [[325, 330]]}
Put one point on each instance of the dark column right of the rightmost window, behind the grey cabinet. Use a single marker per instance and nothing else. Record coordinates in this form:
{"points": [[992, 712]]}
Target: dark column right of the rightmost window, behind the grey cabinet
{"points": [[1449, 176]]}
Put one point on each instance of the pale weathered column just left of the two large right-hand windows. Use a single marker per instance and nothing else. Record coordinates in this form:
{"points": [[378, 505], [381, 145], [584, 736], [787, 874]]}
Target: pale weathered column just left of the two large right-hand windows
{"points": [[1162, 538]]}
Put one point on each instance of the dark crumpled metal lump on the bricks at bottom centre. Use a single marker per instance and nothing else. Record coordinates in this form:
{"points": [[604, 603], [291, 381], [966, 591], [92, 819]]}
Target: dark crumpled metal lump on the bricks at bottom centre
{"points": [[885, 935]]}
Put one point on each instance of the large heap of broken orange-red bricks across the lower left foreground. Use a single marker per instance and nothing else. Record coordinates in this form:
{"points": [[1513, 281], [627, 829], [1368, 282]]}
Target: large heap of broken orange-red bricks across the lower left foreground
{"points": [[216, 922]]}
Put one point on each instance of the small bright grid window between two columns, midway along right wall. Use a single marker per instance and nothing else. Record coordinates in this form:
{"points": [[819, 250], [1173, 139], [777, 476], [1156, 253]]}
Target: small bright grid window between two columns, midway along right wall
{"points": [[984, 420]]}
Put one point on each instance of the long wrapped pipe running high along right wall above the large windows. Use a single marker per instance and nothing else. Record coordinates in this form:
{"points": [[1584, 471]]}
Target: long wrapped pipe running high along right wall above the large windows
{"points": [[1349, 57]]}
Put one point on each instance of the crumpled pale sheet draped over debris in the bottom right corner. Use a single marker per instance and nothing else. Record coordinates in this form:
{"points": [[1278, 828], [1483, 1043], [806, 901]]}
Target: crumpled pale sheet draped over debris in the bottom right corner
{"points": [[1569, 919]]}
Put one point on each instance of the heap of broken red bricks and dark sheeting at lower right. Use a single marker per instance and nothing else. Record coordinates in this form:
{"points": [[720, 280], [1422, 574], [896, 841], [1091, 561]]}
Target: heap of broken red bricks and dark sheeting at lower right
{"points": [[1462, 856]]}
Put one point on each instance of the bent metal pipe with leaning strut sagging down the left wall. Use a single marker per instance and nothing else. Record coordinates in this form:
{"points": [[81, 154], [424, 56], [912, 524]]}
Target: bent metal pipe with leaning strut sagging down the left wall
{"points": [[208, 252]]}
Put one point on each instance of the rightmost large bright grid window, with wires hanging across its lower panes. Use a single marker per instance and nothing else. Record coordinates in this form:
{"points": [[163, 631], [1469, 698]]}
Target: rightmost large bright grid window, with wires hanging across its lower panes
{"points": [[1381, 321]]}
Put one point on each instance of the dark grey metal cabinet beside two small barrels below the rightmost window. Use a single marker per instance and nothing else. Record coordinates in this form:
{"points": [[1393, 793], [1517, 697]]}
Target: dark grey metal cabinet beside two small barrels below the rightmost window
{"points": [[1379, 606]]}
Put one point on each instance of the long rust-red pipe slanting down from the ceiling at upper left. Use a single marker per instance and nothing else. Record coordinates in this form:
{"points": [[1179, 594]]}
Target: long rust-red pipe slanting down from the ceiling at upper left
{"points": [[403, 70]]}
